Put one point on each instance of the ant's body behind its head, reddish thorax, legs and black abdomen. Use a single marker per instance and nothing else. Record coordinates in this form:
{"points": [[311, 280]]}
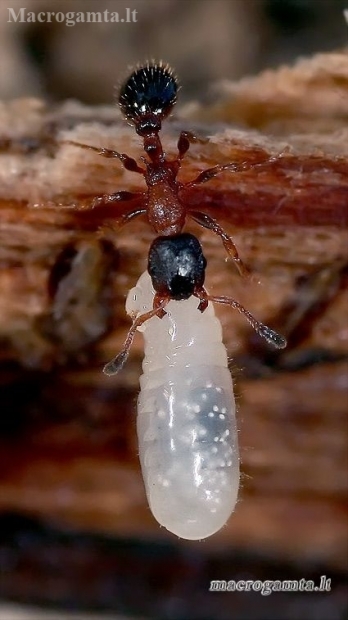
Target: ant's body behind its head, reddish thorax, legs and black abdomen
{"points": [[146, 99]]}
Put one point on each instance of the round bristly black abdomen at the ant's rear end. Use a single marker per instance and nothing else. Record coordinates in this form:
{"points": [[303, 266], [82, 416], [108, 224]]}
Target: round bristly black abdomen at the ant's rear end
{"points": [[151, 89]]}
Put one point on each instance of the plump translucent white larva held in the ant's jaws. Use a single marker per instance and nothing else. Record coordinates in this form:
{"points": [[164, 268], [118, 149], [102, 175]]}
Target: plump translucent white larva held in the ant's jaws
{"points": [[186, 417]]}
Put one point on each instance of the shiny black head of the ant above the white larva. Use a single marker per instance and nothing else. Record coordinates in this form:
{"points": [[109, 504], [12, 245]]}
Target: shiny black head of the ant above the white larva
{"points": [[176, 265]]}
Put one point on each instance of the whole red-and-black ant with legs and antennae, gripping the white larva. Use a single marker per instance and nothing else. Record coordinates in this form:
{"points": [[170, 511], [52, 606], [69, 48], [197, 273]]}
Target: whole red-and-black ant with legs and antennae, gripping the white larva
{"points": [[176, 263]]}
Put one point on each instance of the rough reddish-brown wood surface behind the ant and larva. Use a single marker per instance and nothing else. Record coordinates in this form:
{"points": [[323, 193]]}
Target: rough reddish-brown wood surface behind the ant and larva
{"points": [[68, 449]]}
